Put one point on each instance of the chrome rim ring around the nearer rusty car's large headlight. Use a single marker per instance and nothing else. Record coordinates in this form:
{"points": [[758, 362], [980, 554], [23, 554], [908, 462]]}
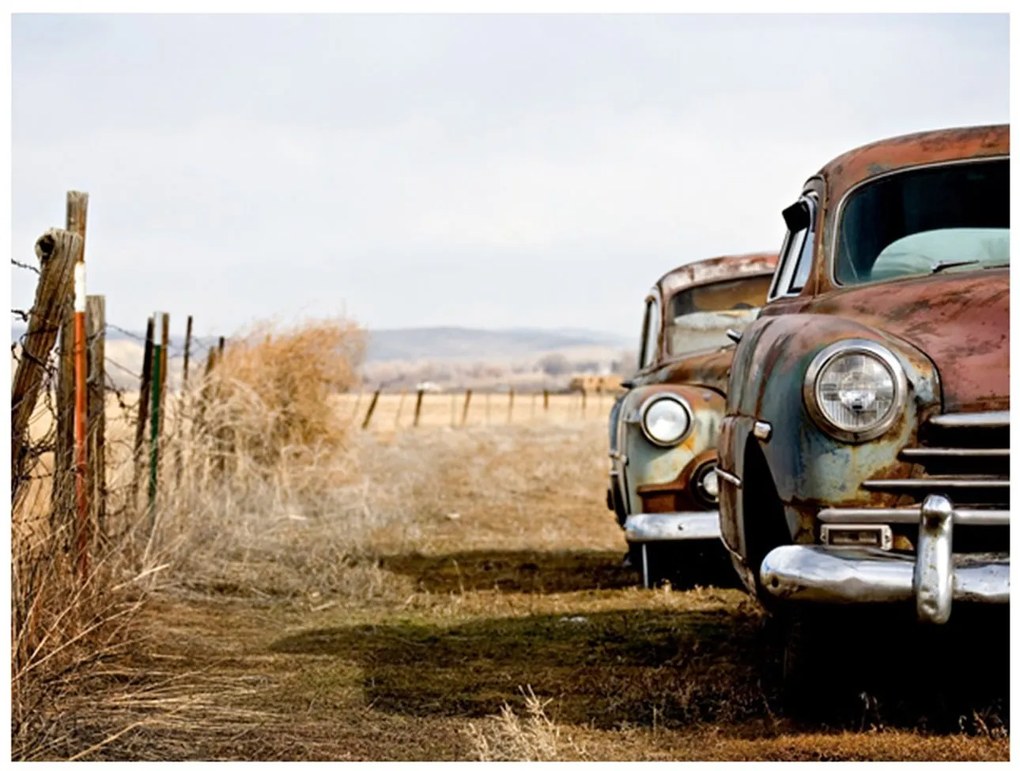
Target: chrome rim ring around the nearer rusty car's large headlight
{"points": [[847, 348]]}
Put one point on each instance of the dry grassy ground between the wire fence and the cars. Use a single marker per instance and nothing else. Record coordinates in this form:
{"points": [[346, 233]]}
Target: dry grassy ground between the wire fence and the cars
{"points": [[460, 594]]}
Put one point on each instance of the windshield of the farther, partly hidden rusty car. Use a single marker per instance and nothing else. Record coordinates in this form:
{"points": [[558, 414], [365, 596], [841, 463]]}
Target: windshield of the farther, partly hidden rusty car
{"points": [[700, 317]]}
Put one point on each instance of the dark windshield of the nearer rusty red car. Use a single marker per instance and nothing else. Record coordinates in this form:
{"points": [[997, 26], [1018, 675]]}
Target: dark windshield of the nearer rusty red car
{"points": [[954, 218]]}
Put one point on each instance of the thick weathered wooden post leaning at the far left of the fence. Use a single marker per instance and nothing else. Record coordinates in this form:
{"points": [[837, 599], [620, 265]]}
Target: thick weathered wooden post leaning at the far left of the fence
{"points": [[58, 252]]}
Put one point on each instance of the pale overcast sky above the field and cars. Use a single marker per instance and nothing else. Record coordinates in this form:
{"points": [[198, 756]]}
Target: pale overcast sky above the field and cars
{"points": [[490, 171]]}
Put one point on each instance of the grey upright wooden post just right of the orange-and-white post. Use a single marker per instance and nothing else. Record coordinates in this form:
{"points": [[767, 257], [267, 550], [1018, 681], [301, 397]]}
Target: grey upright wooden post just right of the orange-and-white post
{"points": [[96, 430]]}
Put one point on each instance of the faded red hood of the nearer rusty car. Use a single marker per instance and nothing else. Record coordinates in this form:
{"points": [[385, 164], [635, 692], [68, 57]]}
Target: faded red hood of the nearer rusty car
{"points": [[961, 322]]}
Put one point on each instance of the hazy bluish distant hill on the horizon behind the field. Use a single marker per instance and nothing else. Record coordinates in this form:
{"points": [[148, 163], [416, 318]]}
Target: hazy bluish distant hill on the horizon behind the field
{"points": [[461, 344]]}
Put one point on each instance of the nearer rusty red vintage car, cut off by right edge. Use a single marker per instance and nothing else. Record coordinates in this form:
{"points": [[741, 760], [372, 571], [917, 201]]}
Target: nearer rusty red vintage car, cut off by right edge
{"points": [[864, 455]]}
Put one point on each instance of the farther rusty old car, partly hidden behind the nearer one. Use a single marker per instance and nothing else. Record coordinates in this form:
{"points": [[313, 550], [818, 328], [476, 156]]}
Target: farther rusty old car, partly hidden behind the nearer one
{"points": [[662, 484]]}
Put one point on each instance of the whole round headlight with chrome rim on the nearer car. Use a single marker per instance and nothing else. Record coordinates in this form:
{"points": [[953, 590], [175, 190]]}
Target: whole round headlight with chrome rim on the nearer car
{"points": [[855, 390]]}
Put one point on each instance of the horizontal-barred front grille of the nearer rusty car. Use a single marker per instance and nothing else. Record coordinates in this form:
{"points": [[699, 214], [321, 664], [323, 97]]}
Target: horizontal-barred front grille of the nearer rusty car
{"points": [[965, 457]]}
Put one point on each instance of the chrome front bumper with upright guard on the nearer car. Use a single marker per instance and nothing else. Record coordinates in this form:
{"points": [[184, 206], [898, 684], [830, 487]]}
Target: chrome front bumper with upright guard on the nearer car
{"points": [[934, 578]]}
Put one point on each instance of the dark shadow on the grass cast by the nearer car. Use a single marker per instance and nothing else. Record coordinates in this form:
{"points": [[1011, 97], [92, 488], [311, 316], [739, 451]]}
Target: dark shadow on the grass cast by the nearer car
{"points": [[656, 669]]}
